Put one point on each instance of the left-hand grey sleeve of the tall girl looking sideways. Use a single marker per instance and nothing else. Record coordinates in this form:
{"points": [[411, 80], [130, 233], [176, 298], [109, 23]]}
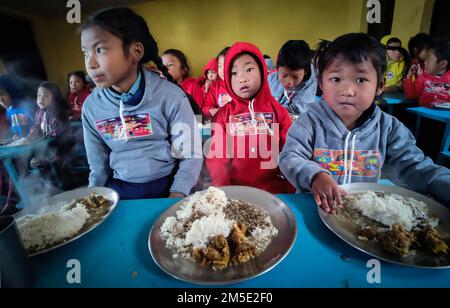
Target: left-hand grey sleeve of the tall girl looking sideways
{"points": [[97, 154]]}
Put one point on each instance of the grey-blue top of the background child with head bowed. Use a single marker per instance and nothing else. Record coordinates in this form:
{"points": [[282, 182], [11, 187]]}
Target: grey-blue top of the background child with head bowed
{"points": [[305, 93]]}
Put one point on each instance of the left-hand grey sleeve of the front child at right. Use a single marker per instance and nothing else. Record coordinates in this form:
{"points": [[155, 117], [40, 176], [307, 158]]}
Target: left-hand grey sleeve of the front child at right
{"points": [[296, 158]]}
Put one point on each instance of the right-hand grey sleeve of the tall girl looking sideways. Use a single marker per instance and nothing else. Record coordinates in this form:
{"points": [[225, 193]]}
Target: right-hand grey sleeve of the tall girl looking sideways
{"points": [[186, 146]]}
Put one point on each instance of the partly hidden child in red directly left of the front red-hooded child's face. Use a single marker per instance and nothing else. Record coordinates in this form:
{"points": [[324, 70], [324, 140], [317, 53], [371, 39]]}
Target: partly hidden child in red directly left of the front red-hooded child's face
{"points": [[217, 96]]}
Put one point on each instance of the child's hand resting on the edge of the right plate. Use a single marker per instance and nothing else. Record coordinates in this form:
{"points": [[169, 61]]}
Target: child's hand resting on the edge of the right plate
{"points": [[327, 193]]}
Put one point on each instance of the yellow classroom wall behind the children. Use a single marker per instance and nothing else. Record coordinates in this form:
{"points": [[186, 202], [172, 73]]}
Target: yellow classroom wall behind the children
{"points": [[201, 28]]}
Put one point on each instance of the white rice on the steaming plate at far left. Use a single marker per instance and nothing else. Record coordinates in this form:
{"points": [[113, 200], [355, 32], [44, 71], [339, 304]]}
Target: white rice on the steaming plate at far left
{"points": [[43, 230]]}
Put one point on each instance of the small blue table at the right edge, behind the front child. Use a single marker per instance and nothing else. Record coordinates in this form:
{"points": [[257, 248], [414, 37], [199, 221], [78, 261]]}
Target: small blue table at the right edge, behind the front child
{"points": [[437, 115]]}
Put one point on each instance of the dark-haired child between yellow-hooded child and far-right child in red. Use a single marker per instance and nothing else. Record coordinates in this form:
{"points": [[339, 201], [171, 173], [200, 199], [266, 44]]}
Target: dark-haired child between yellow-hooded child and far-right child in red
{"points": [[419, 47]]}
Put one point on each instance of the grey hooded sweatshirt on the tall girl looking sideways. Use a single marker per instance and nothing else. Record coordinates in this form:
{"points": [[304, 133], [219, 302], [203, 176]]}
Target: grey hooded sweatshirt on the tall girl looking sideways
{"points": [[161, 136]]}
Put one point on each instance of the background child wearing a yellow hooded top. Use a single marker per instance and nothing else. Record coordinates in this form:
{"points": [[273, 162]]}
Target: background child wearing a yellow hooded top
{"points": [[397, 66]]}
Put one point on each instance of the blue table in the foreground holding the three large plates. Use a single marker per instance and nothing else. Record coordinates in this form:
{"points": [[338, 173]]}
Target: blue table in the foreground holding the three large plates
{"points": [[116, 254]]}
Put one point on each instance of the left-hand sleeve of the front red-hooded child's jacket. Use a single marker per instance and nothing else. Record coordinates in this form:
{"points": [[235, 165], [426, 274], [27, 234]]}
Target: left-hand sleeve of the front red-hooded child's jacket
{"points": [[217, 163]]}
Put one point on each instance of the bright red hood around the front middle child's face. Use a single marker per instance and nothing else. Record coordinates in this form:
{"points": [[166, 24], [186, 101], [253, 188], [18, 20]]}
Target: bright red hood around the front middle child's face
{"points": [[264, 95]]}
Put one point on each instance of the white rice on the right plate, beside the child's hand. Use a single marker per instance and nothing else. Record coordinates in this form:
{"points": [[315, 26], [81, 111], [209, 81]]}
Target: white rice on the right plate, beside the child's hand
{"points": [[391, 209]]}
